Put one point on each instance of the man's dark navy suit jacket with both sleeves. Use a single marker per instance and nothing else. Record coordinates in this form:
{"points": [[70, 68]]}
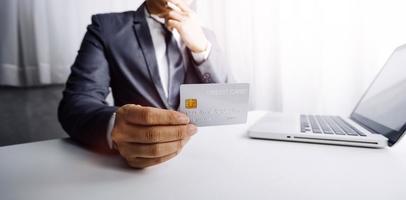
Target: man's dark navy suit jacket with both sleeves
{"points": [[117, 52]]}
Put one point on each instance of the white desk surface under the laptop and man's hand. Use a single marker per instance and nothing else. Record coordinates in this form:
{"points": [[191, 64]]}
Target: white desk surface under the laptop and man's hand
{"points": [[218, 163]]}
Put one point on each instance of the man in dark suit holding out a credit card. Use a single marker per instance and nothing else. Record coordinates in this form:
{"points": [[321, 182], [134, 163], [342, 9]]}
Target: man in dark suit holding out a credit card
{"points": [[144, 57]]}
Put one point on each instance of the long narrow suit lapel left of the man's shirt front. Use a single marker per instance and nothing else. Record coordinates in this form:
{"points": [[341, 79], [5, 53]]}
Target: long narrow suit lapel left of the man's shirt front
{"points": [[144, 39]]}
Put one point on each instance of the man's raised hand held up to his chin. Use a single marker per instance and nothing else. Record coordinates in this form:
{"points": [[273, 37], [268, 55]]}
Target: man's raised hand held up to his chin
{"points": [[186, 22]]}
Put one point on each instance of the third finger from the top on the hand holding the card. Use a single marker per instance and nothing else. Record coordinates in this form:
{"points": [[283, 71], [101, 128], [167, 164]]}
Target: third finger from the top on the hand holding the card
{"points": [[133, 150]]}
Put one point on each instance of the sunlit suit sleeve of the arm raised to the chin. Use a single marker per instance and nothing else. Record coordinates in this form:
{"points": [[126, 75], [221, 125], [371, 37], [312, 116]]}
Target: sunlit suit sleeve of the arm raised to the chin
{"points": [[215, 68]]}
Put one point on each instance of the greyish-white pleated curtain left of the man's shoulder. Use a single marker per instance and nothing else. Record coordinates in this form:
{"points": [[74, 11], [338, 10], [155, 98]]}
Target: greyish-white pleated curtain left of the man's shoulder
{"points": [[39, 38]]}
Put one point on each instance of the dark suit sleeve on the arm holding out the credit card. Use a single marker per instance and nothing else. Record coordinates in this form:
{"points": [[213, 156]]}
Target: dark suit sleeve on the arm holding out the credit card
{"points": [[83, 112]]}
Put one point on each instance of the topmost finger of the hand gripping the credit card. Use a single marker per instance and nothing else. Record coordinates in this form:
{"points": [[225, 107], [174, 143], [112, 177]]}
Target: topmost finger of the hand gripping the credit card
{"points": [[153, 116]]}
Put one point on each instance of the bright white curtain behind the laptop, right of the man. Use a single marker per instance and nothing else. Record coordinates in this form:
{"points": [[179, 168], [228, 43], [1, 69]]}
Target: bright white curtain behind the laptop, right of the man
{"points": [[306, 55]]}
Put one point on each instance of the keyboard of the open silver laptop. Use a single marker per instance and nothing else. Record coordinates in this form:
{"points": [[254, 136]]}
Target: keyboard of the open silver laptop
{"points": [[331, 125]]}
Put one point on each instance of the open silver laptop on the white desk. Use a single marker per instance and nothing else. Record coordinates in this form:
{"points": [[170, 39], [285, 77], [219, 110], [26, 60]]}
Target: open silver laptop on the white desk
{"points": [[378, 120]]}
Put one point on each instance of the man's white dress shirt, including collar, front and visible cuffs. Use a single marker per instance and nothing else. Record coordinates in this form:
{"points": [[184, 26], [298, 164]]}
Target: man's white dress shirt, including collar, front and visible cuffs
{"points": [[155, 25]]}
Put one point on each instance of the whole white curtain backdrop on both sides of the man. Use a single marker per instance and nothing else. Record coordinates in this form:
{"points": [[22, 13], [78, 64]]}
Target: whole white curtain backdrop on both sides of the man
{"points": [[299, 55]]}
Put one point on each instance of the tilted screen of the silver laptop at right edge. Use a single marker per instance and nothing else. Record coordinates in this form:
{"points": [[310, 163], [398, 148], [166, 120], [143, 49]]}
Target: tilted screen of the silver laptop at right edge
{"points": [[382, 109]]}
